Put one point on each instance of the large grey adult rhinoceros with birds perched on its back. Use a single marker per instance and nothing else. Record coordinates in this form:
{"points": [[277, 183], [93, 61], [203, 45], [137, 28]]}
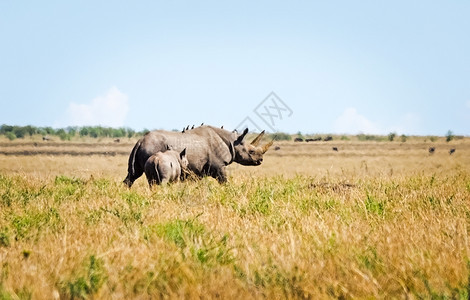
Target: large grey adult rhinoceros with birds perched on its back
{"points": [[208, 150]]}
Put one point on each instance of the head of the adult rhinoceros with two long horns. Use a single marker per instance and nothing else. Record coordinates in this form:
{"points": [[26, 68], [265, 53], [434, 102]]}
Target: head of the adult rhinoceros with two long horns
{"points": [[250, 154]]}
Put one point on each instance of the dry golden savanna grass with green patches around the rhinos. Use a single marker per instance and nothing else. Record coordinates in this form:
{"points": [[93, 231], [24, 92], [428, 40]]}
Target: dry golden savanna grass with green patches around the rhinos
{"points": [[371, 220]]}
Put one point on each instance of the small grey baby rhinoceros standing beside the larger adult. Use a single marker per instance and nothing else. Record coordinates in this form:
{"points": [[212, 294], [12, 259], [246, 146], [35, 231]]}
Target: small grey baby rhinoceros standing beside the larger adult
{"points": [[164, 167]]}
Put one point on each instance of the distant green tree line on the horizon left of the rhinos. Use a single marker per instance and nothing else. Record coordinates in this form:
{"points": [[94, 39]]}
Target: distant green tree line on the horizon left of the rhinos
{"points": [[13, 132]]}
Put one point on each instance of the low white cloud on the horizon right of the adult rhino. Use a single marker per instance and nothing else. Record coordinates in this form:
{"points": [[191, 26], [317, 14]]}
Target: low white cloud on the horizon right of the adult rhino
{"points": [[350, 121]]}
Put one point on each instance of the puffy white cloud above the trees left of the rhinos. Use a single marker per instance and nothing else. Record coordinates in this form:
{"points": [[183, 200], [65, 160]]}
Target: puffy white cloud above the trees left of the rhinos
{"points": [[108, 110]]}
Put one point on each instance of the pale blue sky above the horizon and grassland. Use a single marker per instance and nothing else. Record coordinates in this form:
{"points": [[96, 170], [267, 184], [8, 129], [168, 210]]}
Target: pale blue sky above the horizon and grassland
{"points": [[337, 66]]}
